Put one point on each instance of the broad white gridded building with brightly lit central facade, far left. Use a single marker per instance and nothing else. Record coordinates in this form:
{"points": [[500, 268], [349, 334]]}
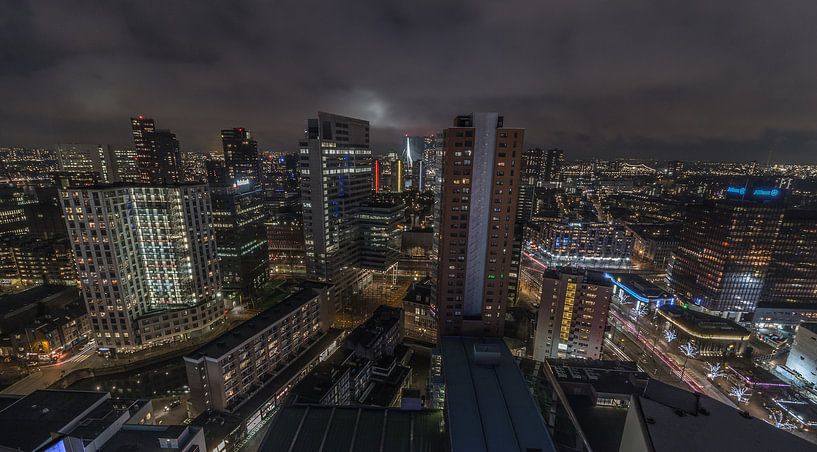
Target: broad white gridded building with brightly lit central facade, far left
{"points": [[146, 259]]}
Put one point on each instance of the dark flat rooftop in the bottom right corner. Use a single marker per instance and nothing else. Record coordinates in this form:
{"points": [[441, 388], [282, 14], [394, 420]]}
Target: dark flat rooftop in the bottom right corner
{"points": [[677, 420]]}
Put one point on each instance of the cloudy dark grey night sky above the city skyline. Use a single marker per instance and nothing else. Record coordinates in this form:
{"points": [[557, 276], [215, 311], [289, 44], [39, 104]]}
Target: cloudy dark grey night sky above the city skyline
{"points": [[722, 79]]}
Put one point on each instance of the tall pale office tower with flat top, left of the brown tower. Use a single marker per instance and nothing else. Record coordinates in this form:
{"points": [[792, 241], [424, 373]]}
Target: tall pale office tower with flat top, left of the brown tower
{"points": [[336, 178]]}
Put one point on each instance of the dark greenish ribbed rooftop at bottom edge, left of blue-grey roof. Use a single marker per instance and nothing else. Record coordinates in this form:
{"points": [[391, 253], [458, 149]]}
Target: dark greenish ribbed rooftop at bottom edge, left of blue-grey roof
{"points": [[316, 428]]}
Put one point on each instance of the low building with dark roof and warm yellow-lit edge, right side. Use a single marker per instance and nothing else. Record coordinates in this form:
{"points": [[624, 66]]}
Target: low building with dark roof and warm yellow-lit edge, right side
{"points": [[703, 326]]}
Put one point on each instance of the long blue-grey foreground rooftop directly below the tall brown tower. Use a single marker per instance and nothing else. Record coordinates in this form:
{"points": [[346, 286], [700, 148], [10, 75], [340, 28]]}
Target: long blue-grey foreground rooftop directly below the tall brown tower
{"points": [[489, 405]]}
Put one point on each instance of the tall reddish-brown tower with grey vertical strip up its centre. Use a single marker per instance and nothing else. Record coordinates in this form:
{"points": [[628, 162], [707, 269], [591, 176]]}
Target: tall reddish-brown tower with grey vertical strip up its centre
{"points": [[481, 176]]}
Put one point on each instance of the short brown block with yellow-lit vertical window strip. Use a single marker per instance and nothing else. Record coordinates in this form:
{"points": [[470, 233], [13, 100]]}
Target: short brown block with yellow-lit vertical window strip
{"points": [[572, 314]]}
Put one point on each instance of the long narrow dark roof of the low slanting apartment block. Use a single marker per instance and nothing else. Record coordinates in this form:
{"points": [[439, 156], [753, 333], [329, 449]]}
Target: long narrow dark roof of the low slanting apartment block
{"points": [[228, 341]]}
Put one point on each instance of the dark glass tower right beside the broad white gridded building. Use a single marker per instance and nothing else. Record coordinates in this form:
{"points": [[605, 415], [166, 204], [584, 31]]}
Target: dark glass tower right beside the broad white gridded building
{"points": [[238, 220]]}
